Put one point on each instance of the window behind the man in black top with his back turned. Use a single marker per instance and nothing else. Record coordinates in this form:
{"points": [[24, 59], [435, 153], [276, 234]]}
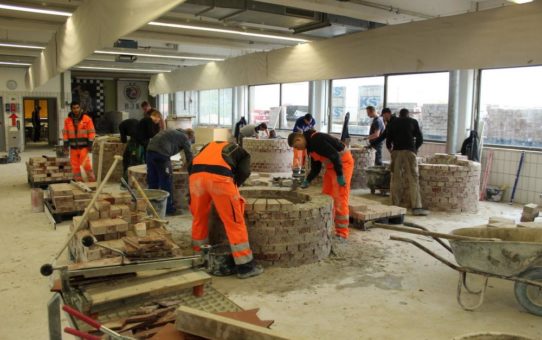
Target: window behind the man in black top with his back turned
{"points": [[426, 97]]}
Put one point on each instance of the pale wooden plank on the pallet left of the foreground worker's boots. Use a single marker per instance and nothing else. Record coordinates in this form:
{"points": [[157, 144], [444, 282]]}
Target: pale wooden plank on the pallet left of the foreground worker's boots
{"points": [[152, 285]]}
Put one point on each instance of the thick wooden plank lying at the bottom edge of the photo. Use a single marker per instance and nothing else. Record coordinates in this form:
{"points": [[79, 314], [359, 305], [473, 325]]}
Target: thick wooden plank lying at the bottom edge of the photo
{"points": [[212, 326]]}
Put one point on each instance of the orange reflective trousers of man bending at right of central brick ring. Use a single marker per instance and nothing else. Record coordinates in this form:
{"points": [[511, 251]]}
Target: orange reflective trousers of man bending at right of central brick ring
{"points": [[340, 195]]}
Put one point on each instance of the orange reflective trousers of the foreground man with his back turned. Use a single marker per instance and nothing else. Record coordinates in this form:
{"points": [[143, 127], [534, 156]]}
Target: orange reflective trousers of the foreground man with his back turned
{"points": [[221, 190]]}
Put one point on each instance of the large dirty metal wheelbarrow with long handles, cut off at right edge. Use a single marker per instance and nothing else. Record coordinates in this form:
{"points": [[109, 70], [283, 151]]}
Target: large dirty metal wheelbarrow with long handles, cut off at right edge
{"points": [[513, 254]]}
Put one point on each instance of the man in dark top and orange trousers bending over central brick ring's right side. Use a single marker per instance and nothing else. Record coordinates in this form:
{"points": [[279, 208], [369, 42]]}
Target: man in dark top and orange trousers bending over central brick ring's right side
{"points": [[329, 151]]}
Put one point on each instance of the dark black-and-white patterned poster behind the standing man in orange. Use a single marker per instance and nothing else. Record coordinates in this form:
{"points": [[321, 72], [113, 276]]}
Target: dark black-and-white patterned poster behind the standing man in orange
{"points": [[90, 95]]}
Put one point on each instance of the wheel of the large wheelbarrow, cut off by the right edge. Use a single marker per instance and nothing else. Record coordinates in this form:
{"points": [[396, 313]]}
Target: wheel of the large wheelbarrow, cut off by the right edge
{"points": [[529, 296]]}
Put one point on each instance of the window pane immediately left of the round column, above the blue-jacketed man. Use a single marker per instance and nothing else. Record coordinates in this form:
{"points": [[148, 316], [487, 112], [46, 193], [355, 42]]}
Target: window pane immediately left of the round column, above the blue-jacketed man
{"points": [[295, 103]]}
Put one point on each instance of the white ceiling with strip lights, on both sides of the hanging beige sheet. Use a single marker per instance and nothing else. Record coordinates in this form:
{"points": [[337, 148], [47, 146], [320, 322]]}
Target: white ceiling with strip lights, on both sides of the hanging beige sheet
{"points": [[266, 24]]}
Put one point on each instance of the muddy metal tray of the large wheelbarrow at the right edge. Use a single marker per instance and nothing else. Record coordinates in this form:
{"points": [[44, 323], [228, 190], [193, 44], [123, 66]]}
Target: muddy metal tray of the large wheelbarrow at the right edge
{"points": [[520, 249]]}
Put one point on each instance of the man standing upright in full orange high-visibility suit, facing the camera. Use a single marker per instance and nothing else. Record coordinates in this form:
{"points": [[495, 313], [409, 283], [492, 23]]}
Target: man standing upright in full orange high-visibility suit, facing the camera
{"points": [[78, 135]]}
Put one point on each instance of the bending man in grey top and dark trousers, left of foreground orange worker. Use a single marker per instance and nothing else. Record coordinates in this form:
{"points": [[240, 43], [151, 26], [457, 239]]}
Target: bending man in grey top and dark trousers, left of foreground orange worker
{"points": [[165, 144]]}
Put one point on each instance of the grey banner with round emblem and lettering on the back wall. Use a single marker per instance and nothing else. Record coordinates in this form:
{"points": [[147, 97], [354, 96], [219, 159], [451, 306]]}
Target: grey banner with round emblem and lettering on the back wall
{"points": [[130, 95]]}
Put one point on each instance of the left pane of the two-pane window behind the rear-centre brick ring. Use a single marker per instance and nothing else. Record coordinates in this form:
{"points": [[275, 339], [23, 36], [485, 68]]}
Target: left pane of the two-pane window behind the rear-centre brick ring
{"points": [[262, 99]]}
